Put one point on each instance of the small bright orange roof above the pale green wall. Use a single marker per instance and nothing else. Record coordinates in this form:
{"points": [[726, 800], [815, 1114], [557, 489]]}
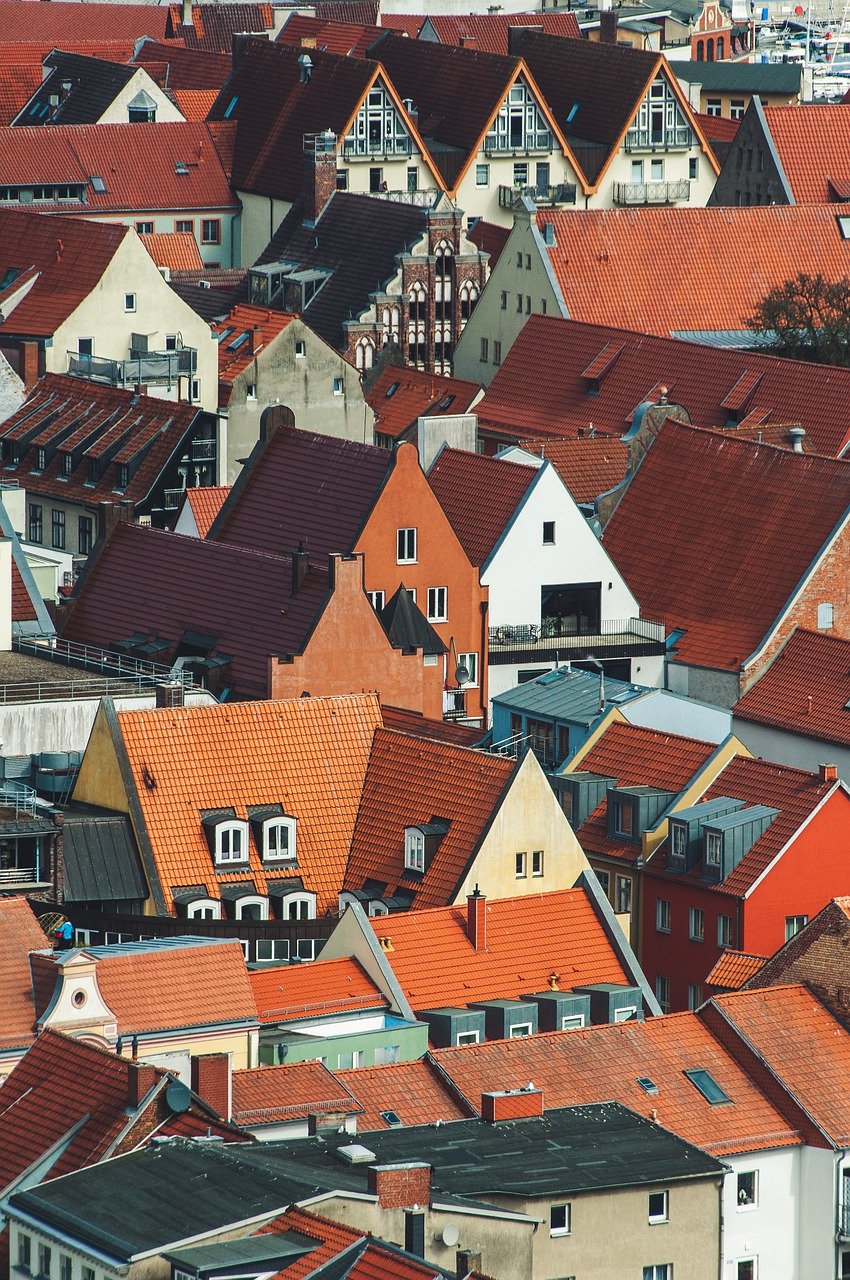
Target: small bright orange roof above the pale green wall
{"points": [[310, 991]]}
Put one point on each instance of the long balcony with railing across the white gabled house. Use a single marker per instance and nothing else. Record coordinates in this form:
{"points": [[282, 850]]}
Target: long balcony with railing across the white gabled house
{"points": [[621, 638]]}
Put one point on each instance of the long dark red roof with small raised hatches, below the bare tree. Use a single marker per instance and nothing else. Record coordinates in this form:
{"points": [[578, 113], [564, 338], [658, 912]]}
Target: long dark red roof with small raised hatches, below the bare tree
{"points": [[541, 390]]}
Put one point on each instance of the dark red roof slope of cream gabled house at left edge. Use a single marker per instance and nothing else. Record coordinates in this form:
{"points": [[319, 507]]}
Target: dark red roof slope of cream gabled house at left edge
{"points": [[70, 255]]}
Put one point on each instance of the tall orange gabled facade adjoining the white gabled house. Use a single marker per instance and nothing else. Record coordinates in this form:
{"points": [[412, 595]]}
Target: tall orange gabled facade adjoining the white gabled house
{"points": [[431, 563]]}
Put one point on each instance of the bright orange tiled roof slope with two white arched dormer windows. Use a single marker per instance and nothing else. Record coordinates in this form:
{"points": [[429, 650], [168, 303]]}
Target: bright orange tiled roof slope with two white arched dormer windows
{"points": [[309, 756]]}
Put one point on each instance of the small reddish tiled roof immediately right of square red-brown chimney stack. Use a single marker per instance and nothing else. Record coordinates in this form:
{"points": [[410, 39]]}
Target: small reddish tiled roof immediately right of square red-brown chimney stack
{"points": [[269, 1095]]}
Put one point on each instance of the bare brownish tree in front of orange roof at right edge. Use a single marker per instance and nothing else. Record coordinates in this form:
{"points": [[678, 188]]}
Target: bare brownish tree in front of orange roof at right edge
{"points": [[811, 318]]}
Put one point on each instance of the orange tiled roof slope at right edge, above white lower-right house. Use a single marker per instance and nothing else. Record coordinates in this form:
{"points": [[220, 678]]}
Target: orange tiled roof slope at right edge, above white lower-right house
{"points": [[803, 1045]]}
